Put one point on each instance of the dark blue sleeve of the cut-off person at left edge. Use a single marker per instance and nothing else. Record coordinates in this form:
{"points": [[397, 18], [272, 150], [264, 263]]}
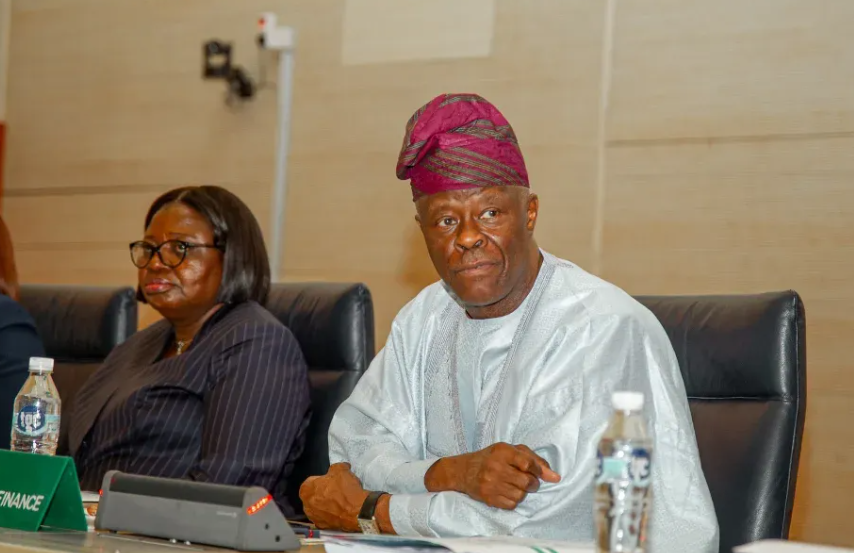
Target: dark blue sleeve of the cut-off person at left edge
{"points": [[18, 342]]}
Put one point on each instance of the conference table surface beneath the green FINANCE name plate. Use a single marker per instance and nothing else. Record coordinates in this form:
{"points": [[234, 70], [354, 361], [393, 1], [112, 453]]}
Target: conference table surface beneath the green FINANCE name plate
{"points": [[14, 541]]}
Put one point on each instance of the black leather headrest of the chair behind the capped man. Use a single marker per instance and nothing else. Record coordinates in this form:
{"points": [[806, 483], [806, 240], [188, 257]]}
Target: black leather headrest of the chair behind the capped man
{"points": [[749, 346]]}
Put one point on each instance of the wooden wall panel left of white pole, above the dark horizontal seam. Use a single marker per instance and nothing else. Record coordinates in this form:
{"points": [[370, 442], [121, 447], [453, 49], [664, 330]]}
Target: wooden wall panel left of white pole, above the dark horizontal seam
{"points": [[126, 108]]}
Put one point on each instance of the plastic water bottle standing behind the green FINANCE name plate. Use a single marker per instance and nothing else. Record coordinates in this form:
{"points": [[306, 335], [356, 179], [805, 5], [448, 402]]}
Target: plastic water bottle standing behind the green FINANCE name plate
{"points": [[35, 421]]}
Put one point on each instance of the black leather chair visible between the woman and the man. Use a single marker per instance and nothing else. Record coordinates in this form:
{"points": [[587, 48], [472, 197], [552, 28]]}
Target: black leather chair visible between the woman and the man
{"points": [[334, 325]]}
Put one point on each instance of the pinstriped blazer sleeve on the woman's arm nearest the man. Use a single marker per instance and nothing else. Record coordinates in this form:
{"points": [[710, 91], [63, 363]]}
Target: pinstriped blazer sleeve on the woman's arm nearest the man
{"points": [[256, 409]]}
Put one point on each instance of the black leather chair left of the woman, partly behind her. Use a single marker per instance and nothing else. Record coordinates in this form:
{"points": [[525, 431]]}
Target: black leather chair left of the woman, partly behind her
{"points": [[79, 326]]}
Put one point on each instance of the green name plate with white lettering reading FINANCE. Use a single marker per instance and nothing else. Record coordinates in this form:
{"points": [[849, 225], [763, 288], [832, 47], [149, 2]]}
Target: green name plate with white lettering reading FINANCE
{"points": [[39, 492]]}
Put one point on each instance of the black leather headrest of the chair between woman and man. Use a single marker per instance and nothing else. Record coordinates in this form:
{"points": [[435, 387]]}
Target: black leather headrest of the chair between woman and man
{"points": [[333, 322]]}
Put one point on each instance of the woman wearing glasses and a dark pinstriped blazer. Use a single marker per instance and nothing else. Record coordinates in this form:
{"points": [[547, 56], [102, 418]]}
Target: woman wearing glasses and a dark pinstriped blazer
{"points": [[217, 391]]}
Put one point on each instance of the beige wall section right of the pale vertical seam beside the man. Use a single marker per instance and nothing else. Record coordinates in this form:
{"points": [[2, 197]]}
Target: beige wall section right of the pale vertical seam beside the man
{"points": [[729, 169]]}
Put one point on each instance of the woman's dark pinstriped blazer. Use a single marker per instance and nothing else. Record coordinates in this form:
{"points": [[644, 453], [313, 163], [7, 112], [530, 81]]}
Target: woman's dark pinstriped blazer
{"points": [[232, 409]]}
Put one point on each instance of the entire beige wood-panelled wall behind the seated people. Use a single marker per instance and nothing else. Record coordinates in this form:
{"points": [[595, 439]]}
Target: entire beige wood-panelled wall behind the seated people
{"points": [[678, 147]]}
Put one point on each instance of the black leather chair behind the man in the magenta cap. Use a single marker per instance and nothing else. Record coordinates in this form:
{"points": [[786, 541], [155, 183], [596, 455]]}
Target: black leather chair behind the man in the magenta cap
{"points": [[743, 359]]}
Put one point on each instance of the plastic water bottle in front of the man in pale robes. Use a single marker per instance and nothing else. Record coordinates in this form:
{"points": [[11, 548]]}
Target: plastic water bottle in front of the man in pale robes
{"points": [[624, 466]]}
